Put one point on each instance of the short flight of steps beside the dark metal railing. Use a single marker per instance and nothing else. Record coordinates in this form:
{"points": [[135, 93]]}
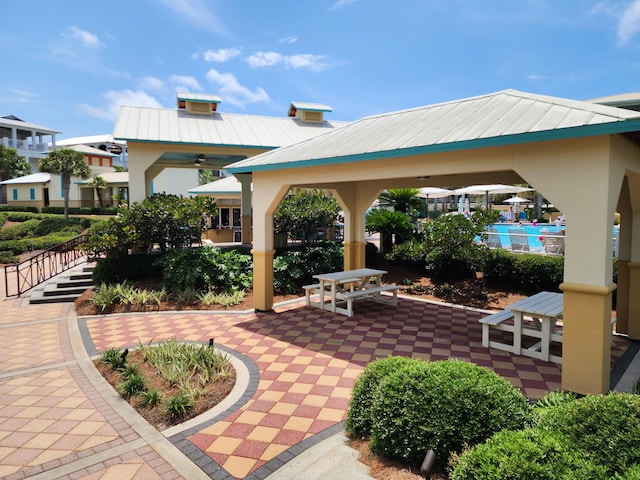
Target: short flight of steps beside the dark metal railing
{"points": [[64, 287]]}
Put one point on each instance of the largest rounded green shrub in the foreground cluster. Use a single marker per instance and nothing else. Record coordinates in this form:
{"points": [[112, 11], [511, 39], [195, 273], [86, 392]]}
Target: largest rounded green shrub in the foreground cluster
{"points": [[442, 406]]}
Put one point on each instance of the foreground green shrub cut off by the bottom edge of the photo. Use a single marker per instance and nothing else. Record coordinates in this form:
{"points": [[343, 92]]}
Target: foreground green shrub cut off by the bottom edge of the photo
{"points": [[529, 454]]}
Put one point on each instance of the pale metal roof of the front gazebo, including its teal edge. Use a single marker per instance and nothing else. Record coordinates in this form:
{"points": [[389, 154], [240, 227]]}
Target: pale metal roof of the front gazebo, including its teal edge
{"points": [[502, 118]]}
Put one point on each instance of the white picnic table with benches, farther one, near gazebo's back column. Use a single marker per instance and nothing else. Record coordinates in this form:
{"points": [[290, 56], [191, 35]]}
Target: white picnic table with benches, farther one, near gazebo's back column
{"points": [[347, 286]]}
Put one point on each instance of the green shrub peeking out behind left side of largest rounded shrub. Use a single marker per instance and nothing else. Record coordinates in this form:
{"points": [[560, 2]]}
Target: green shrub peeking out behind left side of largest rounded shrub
{"points": [[359, 413]]}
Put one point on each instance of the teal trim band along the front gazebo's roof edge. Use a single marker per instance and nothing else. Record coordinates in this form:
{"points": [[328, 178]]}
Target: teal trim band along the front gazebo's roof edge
{"points": [[610, 128]]}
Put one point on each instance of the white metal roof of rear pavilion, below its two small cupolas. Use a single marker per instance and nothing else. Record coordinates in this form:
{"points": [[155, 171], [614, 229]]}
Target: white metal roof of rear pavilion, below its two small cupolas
{"points": [[158, 125]]}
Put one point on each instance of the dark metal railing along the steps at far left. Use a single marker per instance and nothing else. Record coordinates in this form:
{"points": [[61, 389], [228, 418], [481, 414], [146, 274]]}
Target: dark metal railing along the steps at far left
{"points": [[21, 277]]}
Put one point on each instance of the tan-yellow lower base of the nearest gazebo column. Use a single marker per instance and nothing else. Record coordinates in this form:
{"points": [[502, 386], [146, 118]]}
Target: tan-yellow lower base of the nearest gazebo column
{"points": [[586, 334]]}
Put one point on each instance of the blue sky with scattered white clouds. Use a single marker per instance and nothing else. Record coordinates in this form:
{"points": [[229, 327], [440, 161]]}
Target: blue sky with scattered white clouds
{"points": [[69, 65]]}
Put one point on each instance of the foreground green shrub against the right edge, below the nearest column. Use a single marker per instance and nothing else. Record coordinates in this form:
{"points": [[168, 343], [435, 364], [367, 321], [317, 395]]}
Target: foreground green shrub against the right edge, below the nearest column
{"points": [[606, 428]]}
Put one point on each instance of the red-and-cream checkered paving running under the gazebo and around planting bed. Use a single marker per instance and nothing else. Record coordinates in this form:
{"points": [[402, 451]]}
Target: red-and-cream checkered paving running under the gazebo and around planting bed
{"points": [[308, 361]]}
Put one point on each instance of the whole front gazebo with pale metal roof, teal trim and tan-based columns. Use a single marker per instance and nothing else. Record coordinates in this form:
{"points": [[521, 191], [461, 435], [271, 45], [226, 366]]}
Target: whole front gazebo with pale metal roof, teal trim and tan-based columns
{"points": [[584, 157]]}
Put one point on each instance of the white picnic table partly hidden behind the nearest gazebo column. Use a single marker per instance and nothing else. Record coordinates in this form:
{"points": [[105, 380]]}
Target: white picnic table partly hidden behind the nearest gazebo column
{"points": [[544, 309]]}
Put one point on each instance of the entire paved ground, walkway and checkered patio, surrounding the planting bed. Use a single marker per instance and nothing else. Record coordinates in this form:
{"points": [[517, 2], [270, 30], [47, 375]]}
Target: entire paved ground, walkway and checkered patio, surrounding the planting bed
{"points": [[296, 367]]}
